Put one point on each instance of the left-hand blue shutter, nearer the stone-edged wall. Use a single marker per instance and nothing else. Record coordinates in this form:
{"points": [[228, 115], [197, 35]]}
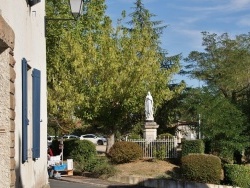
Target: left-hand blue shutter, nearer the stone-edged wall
{"points": [[25, 120]]}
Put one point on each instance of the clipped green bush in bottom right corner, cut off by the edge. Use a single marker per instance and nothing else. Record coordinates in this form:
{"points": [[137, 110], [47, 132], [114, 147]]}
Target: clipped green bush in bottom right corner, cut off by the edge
{"points": [[237, 175]]}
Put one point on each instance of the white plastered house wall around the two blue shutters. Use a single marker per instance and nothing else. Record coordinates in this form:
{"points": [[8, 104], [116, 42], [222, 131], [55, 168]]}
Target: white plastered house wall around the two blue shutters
{"points": [[28, 25]]}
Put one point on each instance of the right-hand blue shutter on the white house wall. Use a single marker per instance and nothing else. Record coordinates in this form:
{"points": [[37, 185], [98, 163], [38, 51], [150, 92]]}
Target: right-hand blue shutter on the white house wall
{"points": [[36, 99]]}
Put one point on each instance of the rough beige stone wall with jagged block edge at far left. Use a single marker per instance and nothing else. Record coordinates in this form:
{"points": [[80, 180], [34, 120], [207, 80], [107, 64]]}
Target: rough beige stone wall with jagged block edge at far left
{"points": [[7, 106]]}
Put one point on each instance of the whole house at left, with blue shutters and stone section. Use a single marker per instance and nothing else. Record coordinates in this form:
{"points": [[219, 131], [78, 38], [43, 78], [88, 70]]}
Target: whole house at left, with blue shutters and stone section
{"points": [[23, 100]]}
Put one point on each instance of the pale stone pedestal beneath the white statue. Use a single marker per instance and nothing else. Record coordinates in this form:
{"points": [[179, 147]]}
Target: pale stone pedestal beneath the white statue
{"points": [[150, 130]]}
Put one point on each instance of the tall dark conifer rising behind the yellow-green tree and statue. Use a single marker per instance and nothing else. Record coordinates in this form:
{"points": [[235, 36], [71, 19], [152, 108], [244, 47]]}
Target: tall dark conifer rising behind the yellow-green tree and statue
{"points": [[142, 19]]}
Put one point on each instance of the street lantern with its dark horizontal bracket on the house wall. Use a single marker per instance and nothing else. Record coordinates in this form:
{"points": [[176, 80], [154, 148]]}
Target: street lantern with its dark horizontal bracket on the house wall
{"points": [[76, 7]]}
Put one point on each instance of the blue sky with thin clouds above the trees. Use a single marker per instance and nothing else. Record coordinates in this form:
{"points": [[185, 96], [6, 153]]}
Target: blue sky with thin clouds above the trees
{"points": [[186, 19]]}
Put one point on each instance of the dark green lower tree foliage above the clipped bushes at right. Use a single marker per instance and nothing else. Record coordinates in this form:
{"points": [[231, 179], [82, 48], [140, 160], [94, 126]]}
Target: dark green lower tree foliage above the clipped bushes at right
{"points": [[223, 125]]}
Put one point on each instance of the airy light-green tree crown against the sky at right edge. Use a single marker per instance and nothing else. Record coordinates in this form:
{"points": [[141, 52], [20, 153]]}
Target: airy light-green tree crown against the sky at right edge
{"points": [[225, 63]]}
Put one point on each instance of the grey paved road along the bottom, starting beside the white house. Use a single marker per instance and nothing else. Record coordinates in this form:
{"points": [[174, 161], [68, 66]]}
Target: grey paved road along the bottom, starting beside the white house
{"points": [[89, 183]]}
